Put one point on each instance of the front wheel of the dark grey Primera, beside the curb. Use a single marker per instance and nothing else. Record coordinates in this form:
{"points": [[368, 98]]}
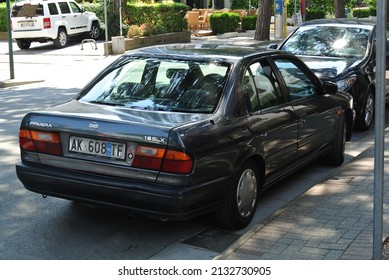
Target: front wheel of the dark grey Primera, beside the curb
{"points": [[335, 156]]}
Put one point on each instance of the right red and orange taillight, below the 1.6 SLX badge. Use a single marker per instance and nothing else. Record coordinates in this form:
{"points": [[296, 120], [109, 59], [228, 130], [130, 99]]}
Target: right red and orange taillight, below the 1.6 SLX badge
{"points": [[160, 159]]}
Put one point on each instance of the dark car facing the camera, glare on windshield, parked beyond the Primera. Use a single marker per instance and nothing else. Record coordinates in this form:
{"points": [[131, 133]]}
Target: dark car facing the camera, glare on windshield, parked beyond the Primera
{"points": [[342, 51]]}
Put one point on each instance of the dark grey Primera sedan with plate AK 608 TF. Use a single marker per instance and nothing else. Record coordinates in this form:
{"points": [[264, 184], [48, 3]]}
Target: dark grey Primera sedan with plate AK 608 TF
{"points": [[181, 130]]}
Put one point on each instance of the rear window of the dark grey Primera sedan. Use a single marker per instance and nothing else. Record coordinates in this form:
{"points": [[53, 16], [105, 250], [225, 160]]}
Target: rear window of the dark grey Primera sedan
{"points": [[161, 84]]}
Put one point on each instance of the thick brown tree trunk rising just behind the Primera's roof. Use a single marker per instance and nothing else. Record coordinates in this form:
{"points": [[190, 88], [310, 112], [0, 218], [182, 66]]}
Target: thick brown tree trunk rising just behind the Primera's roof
{"points": [[262, 30]]}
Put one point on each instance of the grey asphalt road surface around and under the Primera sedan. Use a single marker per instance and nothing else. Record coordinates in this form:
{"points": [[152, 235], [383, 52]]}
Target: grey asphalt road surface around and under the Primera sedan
{"points": [[33, 227]]}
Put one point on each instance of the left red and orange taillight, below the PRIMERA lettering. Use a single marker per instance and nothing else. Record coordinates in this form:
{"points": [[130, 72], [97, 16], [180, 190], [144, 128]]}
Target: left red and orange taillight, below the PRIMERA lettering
{"points": [[41, 142]]}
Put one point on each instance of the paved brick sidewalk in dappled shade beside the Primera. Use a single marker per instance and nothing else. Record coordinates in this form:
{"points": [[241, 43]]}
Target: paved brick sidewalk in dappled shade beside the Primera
{"points": [[331, 221]]}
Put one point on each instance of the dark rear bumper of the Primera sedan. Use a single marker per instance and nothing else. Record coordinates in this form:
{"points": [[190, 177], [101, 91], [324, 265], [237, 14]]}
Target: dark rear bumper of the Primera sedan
{"points": [[168, 202]]}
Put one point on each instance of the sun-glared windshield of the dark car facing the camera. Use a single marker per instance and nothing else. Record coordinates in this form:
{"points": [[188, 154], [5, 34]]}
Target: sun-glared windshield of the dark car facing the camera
{"points": [[329, 40]]}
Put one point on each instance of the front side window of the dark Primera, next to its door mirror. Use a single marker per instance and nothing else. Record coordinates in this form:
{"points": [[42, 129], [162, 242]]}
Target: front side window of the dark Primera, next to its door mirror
{"points": [[299, 85]]}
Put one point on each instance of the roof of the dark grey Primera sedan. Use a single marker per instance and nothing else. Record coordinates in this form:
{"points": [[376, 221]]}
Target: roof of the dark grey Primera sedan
{"points": [[224, 52]]}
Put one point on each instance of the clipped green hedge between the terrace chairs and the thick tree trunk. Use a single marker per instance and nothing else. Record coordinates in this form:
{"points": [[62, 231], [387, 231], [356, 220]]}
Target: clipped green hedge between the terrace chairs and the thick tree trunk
{"points": [[224, 22]]}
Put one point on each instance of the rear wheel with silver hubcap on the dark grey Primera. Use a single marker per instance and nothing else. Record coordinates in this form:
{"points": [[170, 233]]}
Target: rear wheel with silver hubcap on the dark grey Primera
{"points": [[240, 204]]}
